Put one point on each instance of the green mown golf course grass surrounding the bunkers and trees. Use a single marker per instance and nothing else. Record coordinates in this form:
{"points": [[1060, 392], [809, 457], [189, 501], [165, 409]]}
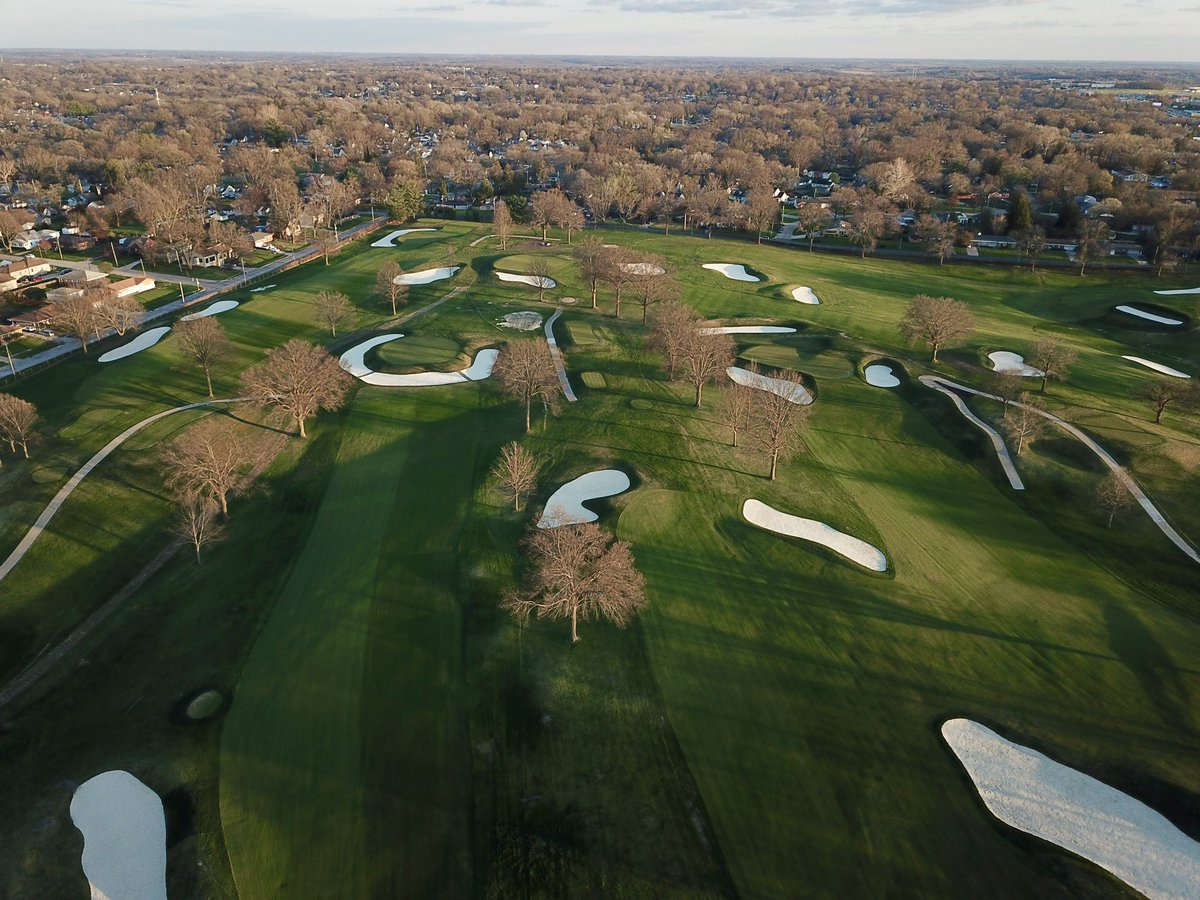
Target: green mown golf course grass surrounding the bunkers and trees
{"points": [[767, 728]]}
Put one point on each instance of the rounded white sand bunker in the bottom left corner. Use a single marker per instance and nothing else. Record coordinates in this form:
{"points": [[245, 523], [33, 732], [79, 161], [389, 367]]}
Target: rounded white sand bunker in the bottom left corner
{"points": [[124, 838]]}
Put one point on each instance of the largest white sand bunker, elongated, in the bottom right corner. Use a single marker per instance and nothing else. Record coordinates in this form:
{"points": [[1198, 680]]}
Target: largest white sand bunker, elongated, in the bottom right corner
{"points": [[1036, 795]]}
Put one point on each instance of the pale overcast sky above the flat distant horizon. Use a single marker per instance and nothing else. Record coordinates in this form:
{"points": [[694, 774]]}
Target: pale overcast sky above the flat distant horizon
{"points": [[1150, 31]]}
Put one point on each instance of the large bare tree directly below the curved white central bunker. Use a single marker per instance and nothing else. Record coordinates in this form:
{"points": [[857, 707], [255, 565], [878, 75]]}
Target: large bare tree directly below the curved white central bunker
{"points": [[579, 572]]}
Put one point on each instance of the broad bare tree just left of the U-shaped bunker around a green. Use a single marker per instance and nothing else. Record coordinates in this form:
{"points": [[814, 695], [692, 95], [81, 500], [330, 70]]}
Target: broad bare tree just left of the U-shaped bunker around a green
{"points": [[301, 380]]}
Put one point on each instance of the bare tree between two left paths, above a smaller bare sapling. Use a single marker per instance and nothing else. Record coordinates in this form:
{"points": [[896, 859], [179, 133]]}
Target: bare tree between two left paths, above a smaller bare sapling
{"points": [[209, 460]]}
